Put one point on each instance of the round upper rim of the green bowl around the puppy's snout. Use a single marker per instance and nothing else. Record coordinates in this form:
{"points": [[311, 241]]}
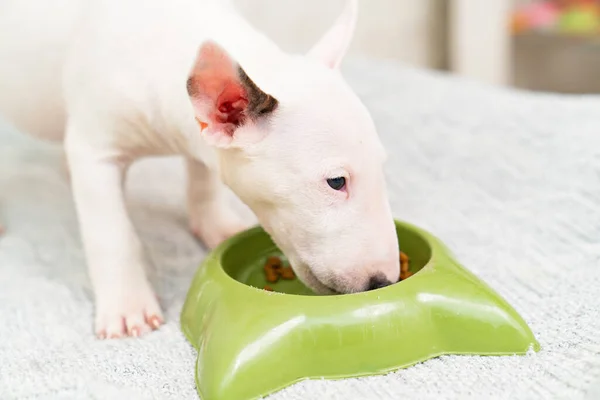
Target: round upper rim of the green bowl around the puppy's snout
{"points": [[215, 257]]}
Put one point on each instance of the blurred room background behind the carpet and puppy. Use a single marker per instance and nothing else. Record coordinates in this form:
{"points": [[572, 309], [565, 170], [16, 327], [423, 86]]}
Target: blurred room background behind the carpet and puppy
{"points": [[544, 45]]}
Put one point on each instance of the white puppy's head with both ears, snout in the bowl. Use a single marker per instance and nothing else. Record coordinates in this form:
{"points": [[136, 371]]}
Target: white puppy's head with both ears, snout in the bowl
{"points": [[304, 155]]}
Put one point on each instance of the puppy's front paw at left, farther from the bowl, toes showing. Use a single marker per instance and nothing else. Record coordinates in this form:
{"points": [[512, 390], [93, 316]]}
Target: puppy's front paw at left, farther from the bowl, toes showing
{"points": [[123, 313]]}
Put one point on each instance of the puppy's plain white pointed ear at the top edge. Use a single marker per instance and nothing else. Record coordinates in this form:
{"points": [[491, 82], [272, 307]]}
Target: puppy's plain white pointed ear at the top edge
{"points": [[332, 47]]}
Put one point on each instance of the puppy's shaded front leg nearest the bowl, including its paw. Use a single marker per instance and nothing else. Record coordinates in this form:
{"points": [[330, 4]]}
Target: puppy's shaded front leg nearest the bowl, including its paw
{"points": [[211, 219]]}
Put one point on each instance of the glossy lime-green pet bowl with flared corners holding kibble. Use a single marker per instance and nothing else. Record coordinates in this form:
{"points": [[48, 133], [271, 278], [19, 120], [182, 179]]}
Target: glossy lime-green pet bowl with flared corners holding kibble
{"points": [[253, 342]]}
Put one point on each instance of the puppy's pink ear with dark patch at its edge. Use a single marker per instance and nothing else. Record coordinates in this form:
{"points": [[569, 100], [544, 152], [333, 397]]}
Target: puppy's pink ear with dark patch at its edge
{"points": [[224, 98]]}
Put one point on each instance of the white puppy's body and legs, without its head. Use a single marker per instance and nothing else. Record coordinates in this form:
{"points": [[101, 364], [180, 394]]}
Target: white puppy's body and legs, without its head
{"points": [[110, 76]]}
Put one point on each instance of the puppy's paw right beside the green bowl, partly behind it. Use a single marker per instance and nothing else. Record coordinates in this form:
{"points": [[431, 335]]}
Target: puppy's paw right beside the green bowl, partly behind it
{"points": [[215, 224]]}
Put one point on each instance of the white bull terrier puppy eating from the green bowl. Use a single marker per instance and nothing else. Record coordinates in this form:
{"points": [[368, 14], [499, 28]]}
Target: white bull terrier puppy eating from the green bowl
{"points": [[123, 79]]}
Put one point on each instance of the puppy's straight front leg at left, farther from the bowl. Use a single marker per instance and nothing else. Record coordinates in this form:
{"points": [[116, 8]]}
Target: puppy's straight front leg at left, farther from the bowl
{"points": [[125, 301]]}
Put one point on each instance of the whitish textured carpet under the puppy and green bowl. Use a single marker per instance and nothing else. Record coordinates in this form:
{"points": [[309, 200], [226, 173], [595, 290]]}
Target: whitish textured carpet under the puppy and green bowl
{"points": [[509, 180]]}
